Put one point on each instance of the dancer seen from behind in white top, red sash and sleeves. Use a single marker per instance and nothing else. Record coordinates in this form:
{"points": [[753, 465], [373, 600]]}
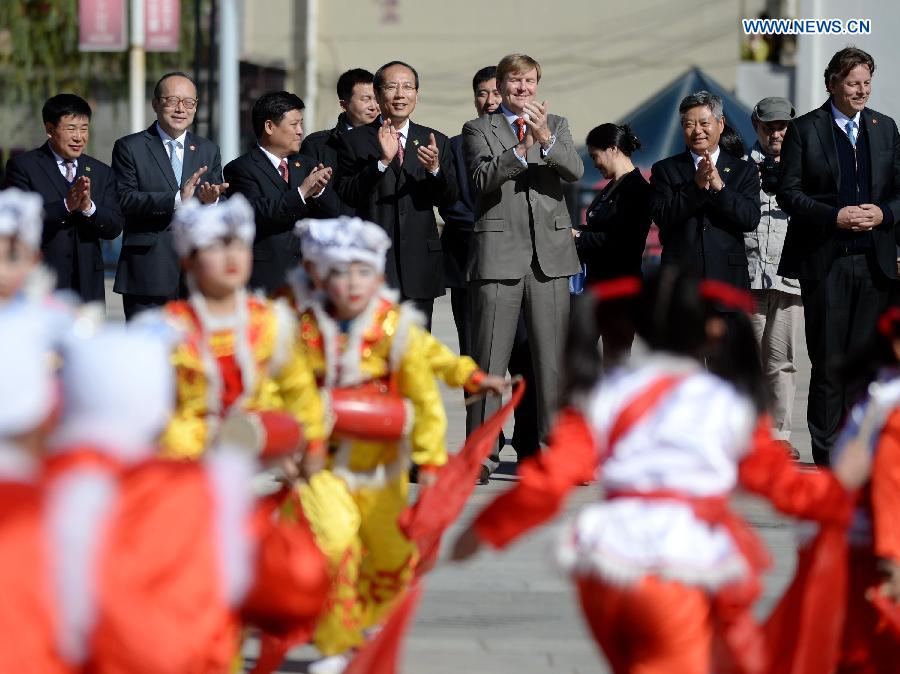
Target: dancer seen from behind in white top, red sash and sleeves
{"points": [[663, 568]]}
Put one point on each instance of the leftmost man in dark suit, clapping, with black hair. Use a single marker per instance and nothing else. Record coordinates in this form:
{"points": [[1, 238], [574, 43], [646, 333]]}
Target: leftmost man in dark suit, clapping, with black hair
{"points": [[81, 205]]}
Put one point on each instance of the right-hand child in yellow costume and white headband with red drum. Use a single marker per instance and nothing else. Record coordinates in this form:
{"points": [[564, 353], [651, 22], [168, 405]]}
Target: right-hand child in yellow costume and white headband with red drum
{"points": [[370, 352]]}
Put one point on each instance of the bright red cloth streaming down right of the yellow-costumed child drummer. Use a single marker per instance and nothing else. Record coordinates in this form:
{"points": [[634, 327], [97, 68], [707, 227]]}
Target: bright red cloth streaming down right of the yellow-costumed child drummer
{"points": [[439, 505]]}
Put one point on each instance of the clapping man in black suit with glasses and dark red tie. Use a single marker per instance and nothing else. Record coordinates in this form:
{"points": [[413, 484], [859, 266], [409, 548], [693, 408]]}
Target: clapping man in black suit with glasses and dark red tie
{"points": [[394, 172]]}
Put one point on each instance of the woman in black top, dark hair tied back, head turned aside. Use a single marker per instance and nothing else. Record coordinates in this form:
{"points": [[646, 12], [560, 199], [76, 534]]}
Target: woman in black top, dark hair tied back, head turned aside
{"points": [[611, 243]]}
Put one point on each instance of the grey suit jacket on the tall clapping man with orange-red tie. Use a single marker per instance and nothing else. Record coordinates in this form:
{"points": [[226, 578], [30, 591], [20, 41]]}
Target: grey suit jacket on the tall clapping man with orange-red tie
{"points": [[508, 195]]}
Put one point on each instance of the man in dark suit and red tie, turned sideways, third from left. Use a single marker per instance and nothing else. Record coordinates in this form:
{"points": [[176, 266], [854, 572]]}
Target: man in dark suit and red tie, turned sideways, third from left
{"points": [[281, 185]]}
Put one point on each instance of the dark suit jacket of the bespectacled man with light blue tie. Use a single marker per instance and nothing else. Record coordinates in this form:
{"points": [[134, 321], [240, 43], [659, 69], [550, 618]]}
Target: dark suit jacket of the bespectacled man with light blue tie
{"points": [[148, 264]]}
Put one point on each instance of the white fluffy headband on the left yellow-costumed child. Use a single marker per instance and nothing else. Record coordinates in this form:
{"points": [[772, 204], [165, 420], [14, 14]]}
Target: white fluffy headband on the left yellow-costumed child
{"points": [[196, 226]]}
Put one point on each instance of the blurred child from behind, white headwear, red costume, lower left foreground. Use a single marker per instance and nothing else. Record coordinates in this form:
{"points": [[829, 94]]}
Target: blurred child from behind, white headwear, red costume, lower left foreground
{"points": [[154, 563]]}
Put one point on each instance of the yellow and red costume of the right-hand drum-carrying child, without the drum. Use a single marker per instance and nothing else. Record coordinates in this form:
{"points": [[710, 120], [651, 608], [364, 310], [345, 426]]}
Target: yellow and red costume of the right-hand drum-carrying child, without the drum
{"points": [[354, 504]]}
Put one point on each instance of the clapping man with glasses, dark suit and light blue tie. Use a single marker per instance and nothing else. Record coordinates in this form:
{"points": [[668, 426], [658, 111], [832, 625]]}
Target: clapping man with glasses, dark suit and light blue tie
{"points": [[156, 171]]}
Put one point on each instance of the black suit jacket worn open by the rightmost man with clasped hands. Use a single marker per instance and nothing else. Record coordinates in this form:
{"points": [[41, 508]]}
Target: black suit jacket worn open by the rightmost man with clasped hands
{"points": [[810, 176]]}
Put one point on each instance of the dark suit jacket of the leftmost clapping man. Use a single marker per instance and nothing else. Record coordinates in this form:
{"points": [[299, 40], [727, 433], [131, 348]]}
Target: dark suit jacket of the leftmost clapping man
{"points": [[71, 241]]}
